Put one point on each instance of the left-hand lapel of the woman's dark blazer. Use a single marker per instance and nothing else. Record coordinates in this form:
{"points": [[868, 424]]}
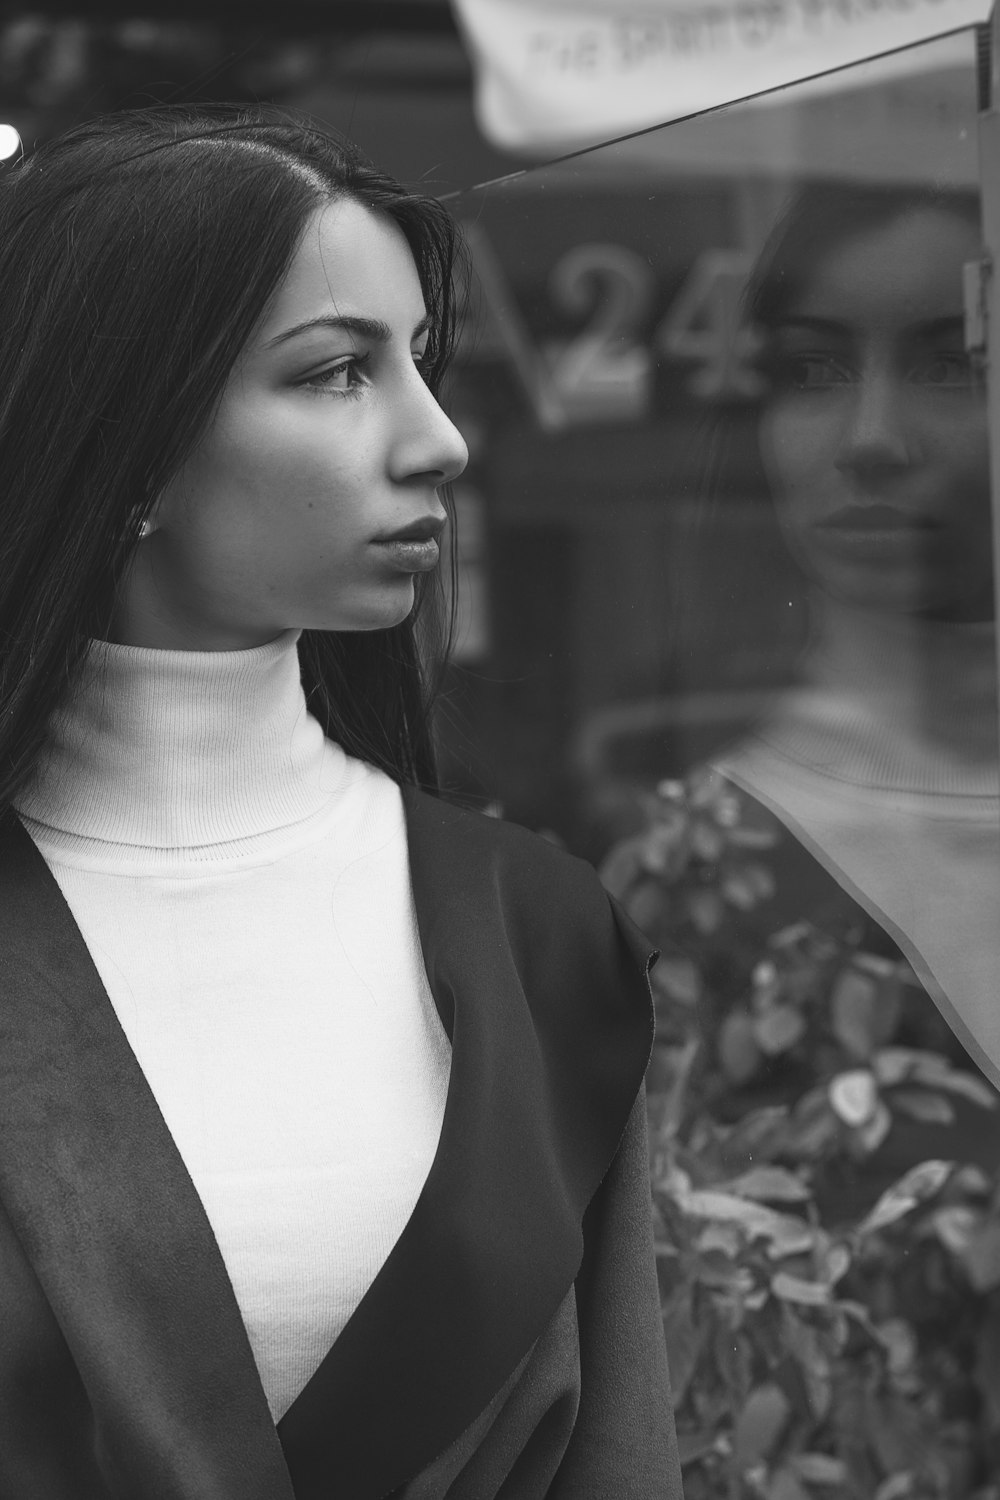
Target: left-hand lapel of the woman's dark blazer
{"points": [[112, 1223]]}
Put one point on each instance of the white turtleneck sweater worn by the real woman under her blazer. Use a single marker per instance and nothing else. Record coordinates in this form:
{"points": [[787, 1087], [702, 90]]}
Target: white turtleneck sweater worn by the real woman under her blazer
{"points": [[244, 889]]}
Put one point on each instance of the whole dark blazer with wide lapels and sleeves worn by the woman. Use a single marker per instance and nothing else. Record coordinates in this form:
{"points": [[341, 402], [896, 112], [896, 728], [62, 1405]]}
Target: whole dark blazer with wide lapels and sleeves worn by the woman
{"points": [[509, 1349]]}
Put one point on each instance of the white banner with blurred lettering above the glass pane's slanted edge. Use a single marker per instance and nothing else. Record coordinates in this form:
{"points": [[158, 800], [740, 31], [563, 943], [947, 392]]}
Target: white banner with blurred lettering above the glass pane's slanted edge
{"points": [[555, 76]]}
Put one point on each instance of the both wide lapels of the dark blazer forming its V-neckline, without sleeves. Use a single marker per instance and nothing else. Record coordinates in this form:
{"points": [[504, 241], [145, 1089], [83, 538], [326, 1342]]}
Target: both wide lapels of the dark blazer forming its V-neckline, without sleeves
{"points": [[549, 1045]]}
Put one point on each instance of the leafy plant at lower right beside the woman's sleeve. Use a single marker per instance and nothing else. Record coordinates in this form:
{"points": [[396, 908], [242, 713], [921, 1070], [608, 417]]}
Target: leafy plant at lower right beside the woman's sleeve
{"points": [[830, 1334]]}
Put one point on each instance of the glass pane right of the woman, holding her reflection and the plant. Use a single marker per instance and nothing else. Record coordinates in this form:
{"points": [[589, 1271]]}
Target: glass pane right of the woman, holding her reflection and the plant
{"points": [[735, 641]]}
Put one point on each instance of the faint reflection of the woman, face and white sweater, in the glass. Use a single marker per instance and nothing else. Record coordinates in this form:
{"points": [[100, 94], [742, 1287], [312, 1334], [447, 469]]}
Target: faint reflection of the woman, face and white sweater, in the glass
{"points": [[873, 437]]}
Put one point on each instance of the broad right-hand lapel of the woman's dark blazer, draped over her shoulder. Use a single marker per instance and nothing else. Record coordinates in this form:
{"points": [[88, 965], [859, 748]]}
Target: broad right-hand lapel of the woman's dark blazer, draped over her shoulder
{"points": [[551, 1037]]}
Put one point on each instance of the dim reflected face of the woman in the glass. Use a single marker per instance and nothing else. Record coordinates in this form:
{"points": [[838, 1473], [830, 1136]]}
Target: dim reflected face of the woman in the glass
{"points": [[875, 440]]}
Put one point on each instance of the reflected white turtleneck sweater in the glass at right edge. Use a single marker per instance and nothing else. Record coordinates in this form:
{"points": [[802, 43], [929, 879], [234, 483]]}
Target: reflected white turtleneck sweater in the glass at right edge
{"points": [[885, 764]]}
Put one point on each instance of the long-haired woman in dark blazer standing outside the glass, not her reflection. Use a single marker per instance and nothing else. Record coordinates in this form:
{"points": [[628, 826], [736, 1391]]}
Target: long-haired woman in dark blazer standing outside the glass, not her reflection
{"points": [[323, 1160]]}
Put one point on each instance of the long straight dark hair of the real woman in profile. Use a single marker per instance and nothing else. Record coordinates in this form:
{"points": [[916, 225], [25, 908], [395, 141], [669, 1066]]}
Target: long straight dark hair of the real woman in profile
{"points": [[137, 254]]}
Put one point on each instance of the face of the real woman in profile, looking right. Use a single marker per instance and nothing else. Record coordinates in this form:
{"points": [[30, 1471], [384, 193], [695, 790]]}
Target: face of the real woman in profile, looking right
{"points": [[313, 502]]}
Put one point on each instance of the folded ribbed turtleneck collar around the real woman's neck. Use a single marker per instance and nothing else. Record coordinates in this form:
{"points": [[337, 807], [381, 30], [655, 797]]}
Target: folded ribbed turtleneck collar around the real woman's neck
{"points": [[184, 749]]}
